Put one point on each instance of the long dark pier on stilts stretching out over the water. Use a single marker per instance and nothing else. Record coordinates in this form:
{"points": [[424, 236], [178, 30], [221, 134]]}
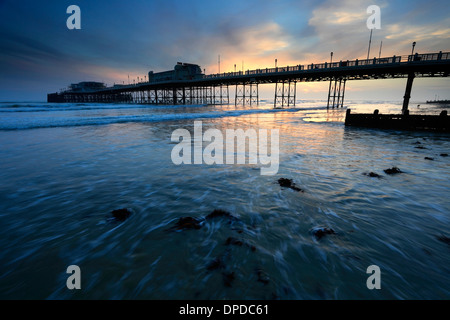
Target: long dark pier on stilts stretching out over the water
{"points": [[198, 88]]}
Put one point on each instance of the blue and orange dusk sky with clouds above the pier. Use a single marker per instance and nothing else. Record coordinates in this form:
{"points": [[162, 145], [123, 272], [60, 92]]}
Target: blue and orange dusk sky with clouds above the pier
{"points": [[117, 39]]}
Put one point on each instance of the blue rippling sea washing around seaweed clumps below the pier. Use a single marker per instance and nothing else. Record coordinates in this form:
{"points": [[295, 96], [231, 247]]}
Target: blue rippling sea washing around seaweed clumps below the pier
{"points": [[347, 230]]}
